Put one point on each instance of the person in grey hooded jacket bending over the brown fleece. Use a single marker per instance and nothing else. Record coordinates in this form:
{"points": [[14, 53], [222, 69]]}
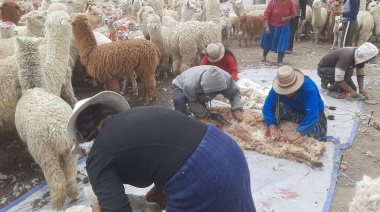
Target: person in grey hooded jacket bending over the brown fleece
{"points": [[198, 85]]}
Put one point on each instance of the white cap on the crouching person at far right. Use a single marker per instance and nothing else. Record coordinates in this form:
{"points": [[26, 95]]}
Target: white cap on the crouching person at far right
{"points": [[366, 53]]}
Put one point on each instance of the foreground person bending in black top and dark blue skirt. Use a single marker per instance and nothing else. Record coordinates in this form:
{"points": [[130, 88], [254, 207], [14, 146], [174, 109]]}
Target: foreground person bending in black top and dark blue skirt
{"points": [[197, 166]]}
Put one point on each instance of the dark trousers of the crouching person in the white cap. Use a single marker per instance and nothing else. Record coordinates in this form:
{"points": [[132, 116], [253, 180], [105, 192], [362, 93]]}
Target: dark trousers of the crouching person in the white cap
{"points": [[327, 75]]}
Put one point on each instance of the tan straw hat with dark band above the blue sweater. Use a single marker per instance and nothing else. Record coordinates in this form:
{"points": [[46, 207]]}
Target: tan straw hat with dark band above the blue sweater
{"points": [[287, 80]]}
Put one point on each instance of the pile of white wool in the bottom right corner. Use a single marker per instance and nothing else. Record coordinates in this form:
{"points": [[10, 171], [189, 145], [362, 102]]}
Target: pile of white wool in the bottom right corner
{"points": [[367, 196]]}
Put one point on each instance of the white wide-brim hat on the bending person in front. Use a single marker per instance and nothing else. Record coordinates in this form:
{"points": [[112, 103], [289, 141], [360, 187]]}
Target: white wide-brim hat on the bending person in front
{"points": [[108, 98]]}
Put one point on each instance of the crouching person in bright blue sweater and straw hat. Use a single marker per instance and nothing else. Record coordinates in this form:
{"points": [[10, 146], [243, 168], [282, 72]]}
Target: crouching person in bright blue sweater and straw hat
{"points": [[295, 98]]}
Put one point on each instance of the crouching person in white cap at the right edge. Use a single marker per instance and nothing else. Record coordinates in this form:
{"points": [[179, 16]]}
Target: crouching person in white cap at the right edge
{"points": [[337, 67]]}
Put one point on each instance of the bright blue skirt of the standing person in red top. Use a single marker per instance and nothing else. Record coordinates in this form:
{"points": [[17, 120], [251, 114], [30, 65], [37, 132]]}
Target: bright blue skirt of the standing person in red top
{"points": [[277, 40]]}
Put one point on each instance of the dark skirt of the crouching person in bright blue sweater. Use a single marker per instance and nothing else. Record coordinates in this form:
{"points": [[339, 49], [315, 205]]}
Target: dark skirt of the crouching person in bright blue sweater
{"points": [[318, 132]]}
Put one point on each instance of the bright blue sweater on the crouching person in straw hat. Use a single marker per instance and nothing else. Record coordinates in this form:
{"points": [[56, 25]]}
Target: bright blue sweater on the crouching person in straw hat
{"points": [[307, 102]]}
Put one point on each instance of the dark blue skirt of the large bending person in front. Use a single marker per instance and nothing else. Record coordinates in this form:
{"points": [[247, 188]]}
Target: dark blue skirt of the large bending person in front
{"points": [[214, 179]]}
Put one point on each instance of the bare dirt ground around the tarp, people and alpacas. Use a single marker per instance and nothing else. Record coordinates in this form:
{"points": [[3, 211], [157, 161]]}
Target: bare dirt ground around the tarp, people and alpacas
{"points": [[362, 159]]}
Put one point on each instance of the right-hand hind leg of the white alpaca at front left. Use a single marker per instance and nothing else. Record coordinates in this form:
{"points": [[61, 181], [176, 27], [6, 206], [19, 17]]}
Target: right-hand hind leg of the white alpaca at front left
{"points": [[69, 163]]}
